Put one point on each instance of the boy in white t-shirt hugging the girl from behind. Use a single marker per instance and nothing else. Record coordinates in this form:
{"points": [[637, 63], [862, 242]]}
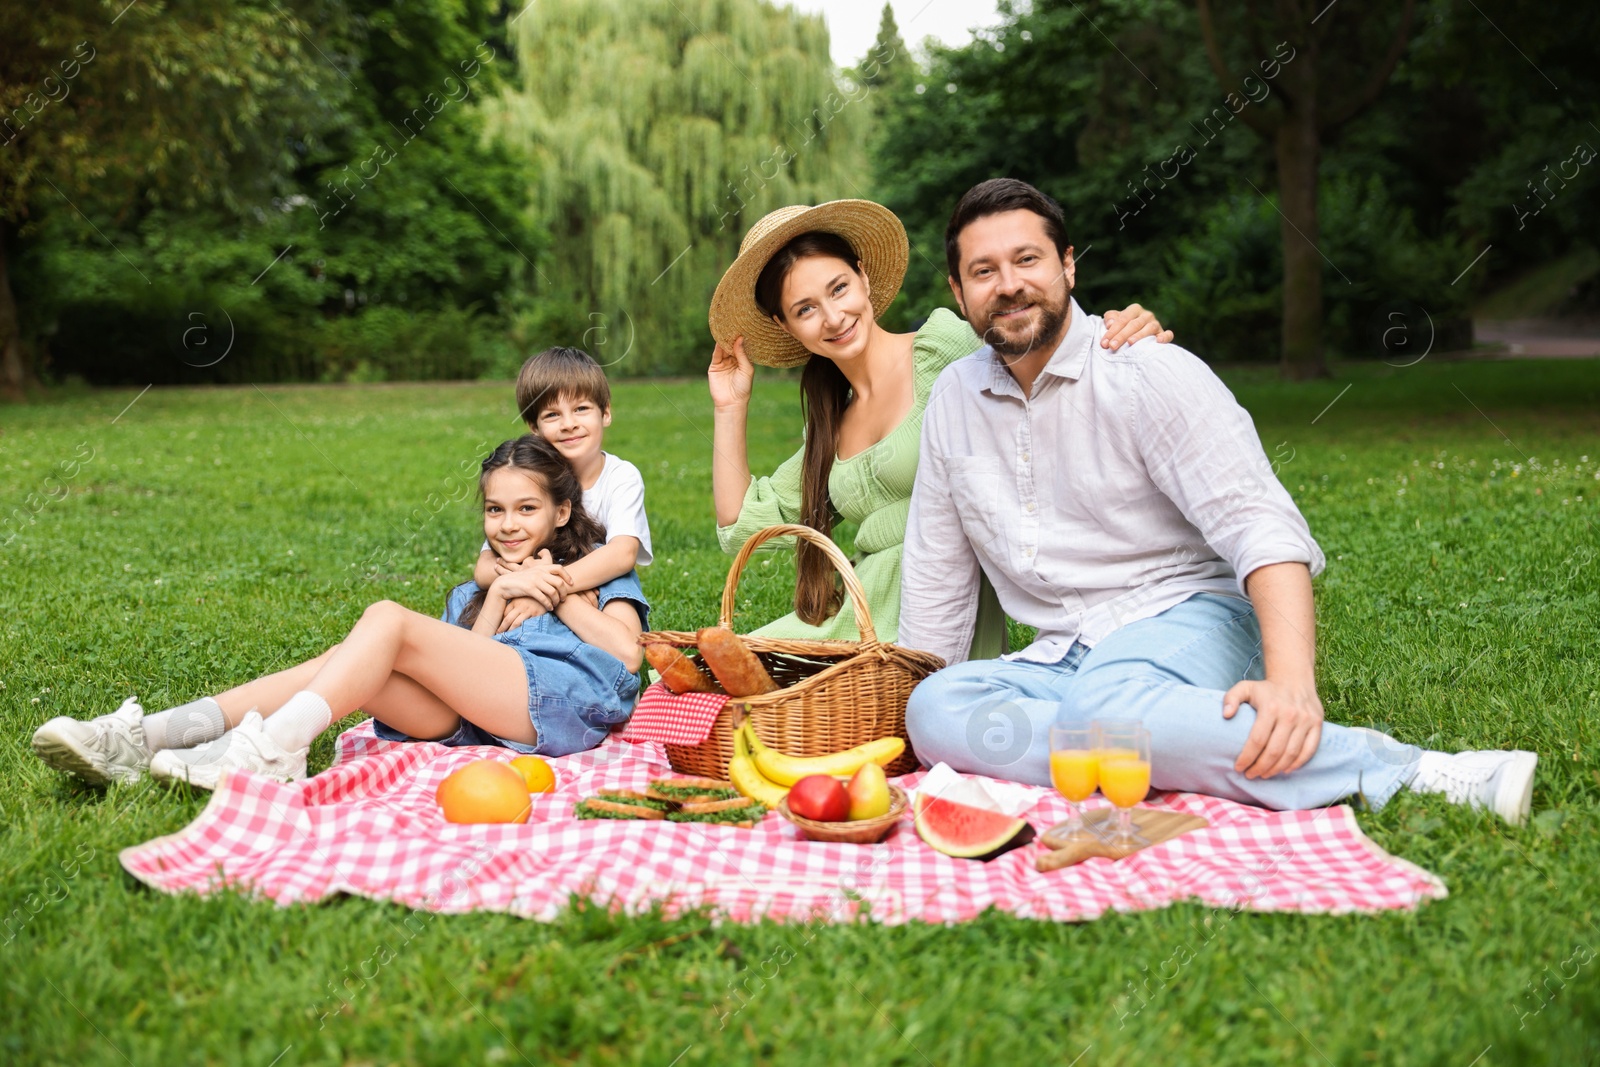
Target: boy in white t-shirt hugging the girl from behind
{"points": [[566, 399]]}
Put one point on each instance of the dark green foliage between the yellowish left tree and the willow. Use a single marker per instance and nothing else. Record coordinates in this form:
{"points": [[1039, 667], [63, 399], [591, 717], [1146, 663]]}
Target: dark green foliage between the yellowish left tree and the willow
{"points": [[385, 201]]}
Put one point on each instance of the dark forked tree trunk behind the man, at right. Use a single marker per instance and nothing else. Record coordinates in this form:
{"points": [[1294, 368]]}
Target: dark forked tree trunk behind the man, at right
{"points": [[1326, 81]]}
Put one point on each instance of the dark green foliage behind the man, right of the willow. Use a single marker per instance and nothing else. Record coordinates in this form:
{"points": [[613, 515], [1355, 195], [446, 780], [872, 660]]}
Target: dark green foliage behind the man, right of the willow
{"points": [[1114, 111]]}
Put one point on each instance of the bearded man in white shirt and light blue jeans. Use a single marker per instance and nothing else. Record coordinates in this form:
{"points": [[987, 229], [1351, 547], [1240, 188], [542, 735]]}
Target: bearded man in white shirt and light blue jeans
{"points": [[1122, 505]]}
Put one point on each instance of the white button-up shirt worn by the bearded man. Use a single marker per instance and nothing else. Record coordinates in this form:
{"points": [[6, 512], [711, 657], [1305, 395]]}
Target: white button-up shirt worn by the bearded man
{"points": [[1124, 486]]}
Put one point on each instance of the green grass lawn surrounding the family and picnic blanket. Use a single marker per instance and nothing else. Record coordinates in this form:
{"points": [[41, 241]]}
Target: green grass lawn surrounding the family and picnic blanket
{"points": [[210, 535]]}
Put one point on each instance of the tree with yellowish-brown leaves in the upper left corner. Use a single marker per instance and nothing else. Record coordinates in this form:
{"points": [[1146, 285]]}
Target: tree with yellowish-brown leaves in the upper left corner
{"points": [[106, 108]]}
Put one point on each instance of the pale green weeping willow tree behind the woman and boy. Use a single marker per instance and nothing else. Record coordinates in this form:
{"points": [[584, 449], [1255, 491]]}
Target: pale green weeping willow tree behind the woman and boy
{"points": [[657, 134]]}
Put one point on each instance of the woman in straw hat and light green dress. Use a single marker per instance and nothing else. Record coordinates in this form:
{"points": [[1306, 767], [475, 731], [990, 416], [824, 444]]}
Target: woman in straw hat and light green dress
{"points": [[807, 289]]}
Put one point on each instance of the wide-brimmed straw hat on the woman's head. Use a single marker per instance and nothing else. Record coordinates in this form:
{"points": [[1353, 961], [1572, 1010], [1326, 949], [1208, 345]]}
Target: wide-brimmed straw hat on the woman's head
{"points": [[870, 228]]}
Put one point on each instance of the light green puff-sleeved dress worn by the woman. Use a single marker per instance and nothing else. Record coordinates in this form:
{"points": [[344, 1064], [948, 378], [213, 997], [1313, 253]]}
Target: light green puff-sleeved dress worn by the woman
{"points": [[871, 489]]}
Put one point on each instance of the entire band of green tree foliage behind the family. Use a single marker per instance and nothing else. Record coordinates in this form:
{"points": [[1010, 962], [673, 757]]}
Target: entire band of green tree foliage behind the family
{"points": [[258, 177]]}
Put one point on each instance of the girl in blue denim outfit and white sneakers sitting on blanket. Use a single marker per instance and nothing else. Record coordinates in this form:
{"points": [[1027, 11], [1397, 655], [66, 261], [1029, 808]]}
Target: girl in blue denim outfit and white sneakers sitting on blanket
{"points": [[553, 687]]}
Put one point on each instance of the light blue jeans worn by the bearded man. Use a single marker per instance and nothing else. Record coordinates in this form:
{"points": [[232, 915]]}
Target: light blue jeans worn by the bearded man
{"points": [[1167, 673]]}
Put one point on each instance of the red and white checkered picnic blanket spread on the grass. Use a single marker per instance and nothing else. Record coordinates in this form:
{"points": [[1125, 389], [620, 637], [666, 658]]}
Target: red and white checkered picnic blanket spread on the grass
{"points": [[369, 826]]}
